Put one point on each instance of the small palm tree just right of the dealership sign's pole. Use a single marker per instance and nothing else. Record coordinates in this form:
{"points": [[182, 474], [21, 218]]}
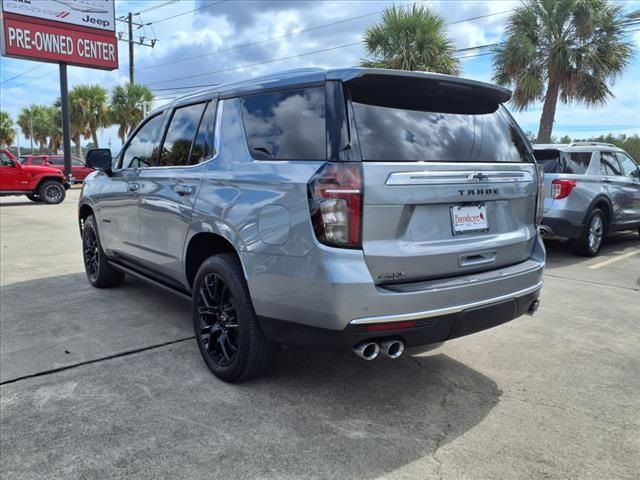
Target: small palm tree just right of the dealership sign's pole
{"points": [[89, 110]]}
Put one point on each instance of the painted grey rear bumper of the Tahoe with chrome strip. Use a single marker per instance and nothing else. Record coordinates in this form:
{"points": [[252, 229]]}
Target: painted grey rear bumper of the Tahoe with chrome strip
{"points": [[332, 289]]}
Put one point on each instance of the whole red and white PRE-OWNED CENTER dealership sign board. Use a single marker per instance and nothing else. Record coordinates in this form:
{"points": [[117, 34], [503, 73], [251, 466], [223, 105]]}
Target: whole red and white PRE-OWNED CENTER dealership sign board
{"points": [[77, 32]]}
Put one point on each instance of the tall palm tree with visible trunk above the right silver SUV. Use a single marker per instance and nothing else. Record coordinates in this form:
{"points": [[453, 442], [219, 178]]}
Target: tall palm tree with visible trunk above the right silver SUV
{"points": [[561, 49]]}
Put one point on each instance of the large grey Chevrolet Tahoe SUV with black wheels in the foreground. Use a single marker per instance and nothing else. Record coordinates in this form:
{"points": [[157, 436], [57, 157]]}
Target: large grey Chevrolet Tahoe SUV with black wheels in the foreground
{"points": [[348, 209]]}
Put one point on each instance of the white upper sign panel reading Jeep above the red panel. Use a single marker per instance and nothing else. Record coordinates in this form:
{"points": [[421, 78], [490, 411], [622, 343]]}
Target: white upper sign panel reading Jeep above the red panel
{"points": [[98, 14]]}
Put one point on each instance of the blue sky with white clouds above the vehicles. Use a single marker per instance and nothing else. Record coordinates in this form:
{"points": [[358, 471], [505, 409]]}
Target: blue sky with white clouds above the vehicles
{"points": [[202, 42]]}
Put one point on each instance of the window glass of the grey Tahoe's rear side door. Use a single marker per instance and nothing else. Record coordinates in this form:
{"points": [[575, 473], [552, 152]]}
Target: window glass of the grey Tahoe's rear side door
{"points": [[180, 135]]}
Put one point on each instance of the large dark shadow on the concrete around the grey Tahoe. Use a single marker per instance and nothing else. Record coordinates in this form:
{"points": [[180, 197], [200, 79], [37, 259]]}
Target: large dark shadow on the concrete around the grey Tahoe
{"points": [[162, 414]]}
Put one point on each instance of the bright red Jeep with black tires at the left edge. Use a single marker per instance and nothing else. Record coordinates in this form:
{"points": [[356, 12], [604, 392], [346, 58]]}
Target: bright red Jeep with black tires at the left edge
{"points": [[38, 183]]}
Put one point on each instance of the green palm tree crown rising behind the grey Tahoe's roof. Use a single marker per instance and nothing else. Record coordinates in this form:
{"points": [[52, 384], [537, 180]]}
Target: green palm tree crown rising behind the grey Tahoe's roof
{"points": [[411, 39]]}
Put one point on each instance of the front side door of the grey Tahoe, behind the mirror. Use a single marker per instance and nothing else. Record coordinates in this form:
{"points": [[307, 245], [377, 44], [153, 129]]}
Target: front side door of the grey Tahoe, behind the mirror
{"points": [[118, 198]]}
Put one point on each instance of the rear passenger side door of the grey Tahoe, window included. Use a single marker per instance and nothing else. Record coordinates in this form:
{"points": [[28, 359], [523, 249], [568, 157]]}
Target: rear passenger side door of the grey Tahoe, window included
{"points": [[168, 191]]}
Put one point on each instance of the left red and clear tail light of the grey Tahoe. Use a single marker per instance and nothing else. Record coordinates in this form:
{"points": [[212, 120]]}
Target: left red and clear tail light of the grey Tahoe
{"points": [[335, 204]]}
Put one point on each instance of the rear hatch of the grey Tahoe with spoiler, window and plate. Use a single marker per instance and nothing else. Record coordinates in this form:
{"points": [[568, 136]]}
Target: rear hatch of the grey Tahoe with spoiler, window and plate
{"points": [[450, 185]]}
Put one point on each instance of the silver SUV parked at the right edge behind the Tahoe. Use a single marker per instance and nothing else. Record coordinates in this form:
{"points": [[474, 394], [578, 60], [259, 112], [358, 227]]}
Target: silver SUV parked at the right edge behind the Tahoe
{"points": [[591, 190]]}
